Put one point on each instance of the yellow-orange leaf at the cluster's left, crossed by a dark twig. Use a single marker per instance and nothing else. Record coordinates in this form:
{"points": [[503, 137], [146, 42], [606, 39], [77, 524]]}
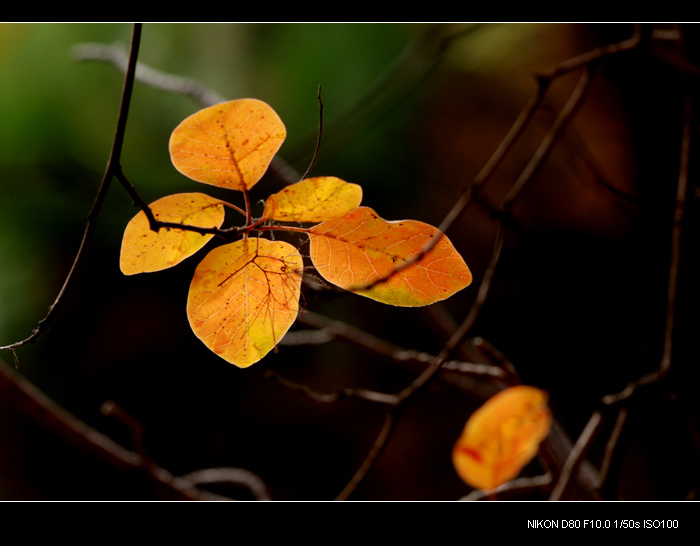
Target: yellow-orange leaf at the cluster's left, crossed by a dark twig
{"points": [[144, 250]]}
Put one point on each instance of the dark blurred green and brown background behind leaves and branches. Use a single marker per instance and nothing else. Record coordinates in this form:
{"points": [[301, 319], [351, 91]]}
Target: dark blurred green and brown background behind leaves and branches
{"points": [[412, 112]]}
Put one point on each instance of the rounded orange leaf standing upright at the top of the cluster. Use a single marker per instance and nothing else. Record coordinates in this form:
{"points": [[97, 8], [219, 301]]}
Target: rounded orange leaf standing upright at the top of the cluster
{"points": [[229, 145]]}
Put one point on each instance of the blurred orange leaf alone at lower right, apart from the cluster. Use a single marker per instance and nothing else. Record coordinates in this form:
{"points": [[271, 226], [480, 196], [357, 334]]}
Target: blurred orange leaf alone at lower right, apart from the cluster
{"points": [[502, 436]]}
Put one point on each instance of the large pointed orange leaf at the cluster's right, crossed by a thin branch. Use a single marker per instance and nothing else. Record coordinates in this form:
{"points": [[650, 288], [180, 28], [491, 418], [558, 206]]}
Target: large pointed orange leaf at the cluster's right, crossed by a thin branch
{"points": [[360, 248]]}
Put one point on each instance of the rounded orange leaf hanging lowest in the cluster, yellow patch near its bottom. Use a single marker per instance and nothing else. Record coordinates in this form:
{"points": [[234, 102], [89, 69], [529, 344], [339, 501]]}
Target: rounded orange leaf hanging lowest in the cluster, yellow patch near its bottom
{"points": [[243, 298]]}
